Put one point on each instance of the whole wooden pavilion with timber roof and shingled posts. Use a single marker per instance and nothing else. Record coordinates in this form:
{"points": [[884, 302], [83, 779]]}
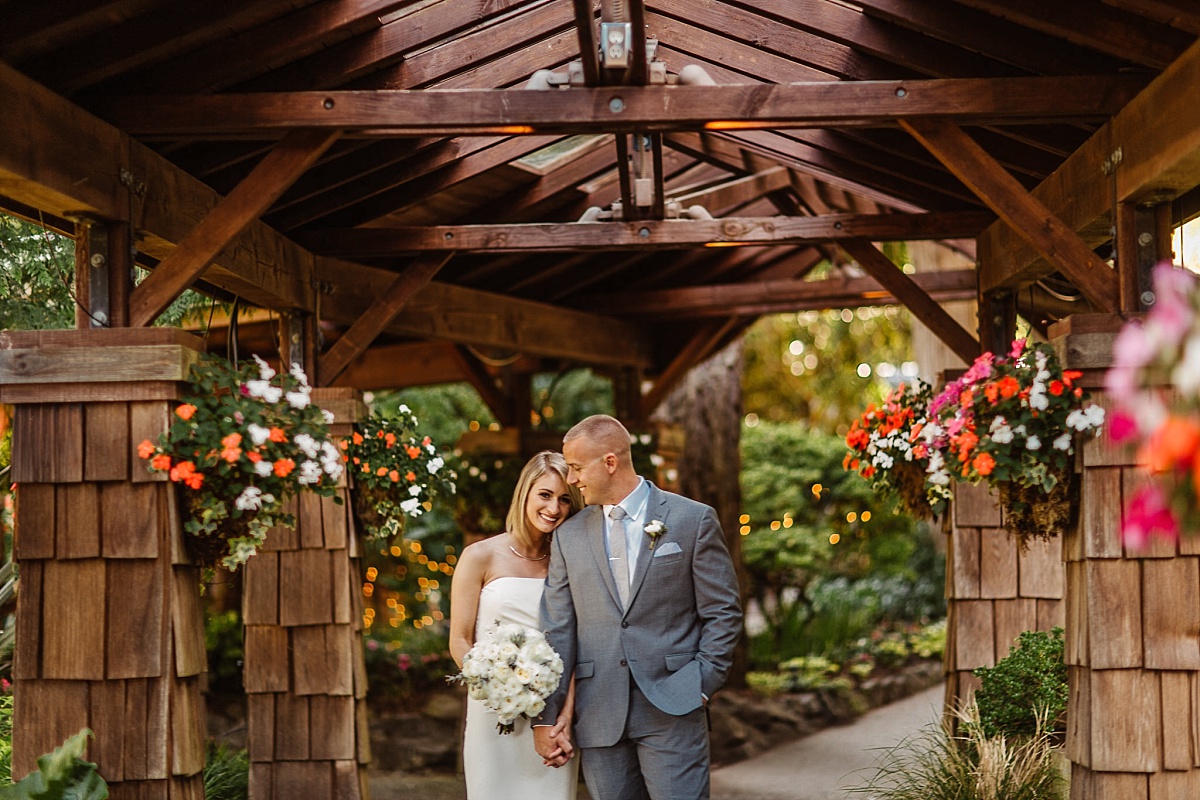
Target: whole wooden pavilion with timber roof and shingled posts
{"points": [[405, 188]]}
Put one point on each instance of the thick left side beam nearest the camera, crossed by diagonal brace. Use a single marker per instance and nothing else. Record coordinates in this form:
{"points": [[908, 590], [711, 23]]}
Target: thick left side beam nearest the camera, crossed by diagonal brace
{"points": [[57, 158]]}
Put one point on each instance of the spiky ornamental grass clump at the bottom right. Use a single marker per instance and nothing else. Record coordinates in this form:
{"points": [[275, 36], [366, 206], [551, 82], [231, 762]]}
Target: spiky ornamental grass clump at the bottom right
{"points": [[939, 766]]}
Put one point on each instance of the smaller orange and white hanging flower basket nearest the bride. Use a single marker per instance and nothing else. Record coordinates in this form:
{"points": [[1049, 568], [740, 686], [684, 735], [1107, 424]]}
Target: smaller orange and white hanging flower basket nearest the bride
{"points": [[397, 472]]}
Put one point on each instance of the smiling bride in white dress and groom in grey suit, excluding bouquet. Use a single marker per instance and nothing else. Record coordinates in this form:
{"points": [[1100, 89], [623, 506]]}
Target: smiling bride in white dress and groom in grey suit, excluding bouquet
{"points": [[635, 591]]}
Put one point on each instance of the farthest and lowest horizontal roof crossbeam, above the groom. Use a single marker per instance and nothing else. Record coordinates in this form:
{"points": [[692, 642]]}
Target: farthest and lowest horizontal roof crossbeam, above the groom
{"points": [[781, 296]]}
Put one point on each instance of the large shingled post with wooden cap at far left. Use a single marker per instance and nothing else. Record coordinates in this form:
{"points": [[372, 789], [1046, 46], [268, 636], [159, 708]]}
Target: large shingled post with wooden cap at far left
{"points": [[110, 633]]}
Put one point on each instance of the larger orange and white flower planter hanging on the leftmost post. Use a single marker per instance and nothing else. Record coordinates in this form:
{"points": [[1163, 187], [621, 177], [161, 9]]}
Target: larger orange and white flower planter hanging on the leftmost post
{"points": [[244, 441]]}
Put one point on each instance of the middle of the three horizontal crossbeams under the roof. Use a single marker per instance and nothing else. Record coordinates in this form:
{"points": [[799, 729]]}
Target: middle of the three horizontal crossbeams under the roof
{"points": [[646, 234]]}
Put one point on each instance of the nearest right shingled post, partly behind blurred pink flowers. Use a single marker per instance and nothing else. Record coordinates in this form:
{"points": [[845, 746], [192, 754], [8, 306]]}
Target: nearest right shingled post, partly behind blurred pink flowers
{"points": [[1133, 622]]}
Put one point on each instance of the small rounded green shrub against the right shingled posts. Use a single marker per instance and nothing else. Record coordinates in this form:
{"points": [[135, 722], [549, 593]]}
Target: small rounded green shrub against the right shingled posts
{"points": [[1027, 685]]}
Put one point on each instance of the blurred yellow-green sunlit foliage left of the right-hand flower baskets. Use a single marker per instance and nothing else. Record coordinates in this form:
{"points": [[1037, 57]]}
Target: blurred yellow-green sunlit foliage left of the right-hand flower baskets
{"points": [[803, 368]]}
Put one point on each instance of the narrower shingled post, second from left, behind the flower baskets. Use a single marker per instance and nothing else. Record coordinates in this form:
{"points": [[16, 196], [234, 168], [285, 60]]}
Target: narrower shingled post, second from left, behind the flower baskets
{"points": [[305, 673]]}
